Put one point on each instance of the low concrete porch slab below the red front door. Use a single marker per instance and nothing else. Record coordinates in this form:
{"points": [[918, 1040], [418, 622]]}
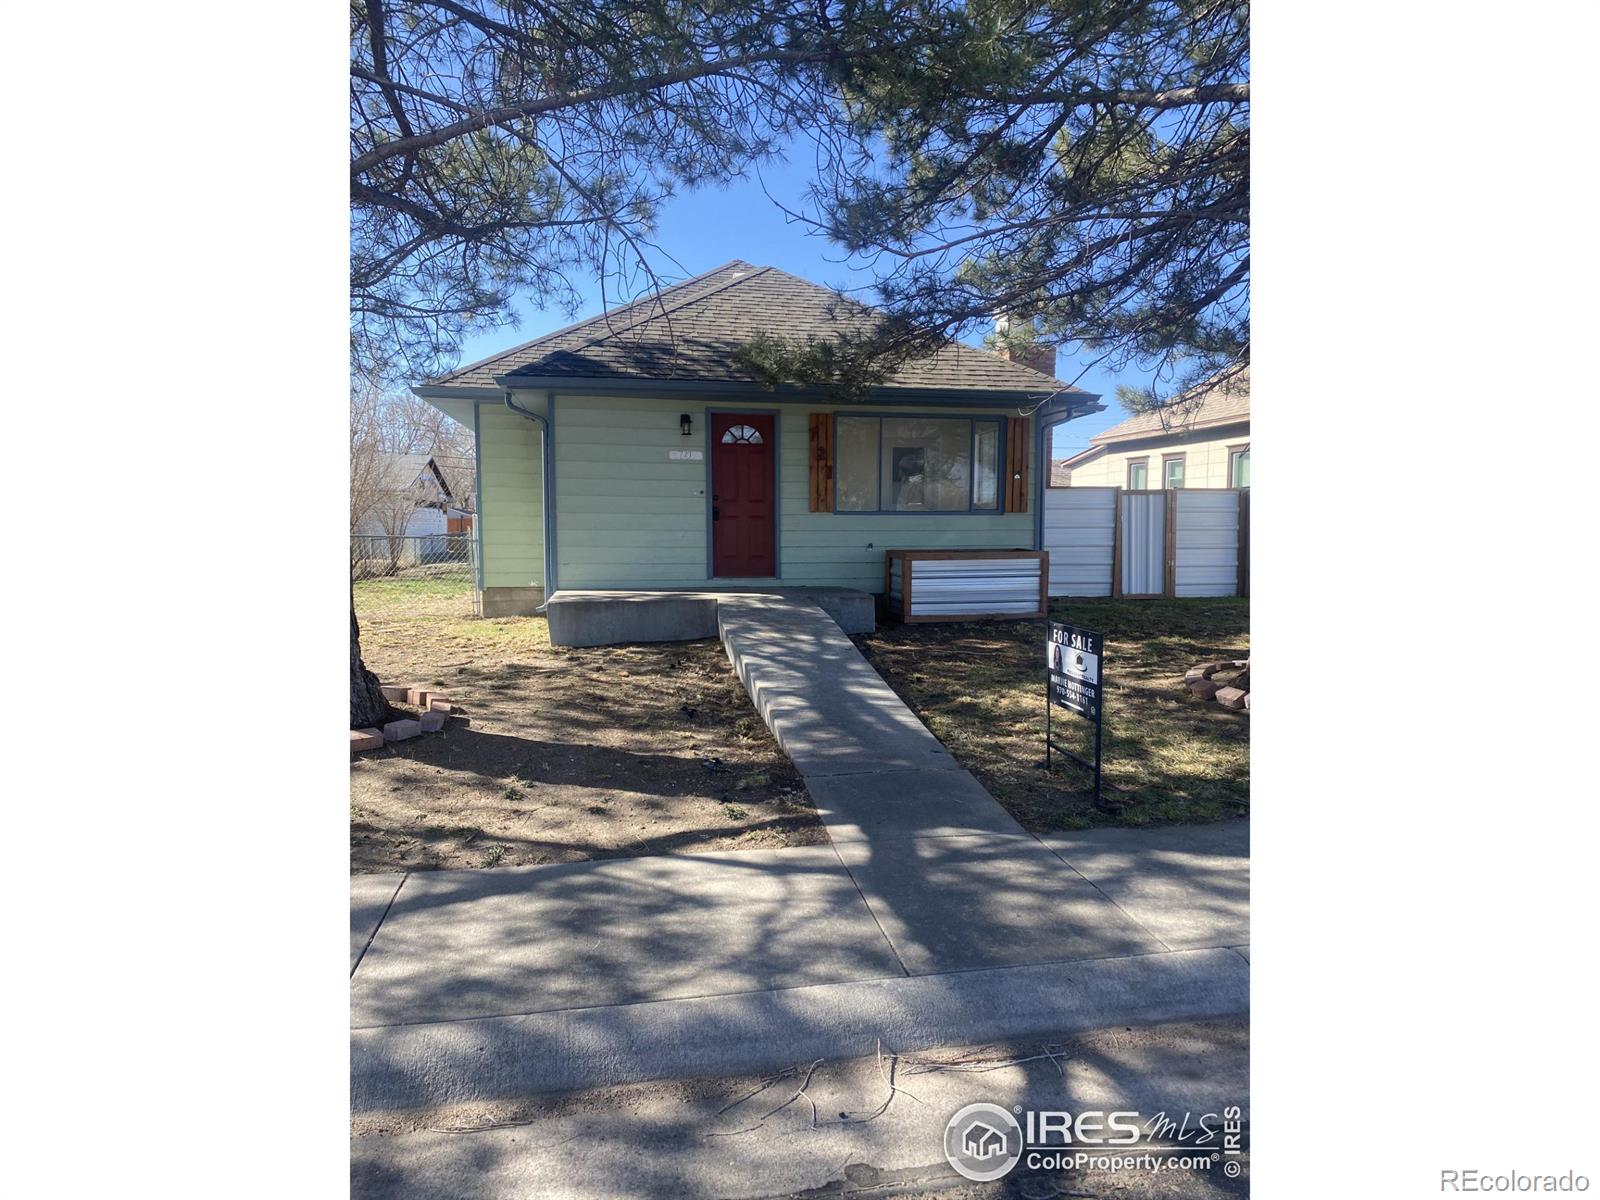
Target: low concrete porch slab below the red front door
{"points": [[614, 618]]}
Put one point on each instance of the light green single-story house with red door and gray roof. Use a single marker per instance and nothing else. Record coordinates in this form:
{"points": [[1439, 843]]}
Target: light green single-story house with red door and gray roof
{"points": [[633, 452]]}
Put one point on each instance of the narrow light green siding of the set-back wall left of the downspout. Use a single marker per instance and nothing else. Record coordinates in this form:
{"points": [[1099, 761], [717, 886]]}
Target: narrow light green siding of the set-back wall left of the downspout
{"points": [[511, 508]]}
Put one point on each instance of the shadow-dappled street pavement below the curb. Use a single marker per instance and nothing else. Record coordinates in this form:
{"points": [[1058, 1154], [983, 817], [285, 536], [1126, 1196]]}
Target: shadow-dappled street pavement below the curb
{"points": [[878, 1126]]}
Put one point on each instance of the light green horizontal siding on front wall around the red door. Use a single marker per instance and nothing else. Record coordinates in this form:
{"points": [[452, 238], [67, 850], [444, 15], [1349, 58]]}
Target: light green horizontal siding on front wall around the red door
{"points": [[630, 516]]}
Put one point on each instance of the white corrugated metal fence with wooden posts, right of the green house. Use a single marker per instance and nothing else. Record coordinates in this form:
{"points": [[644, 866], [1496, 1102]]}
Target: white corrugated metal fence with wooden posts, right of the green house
{"points": [[1113, 542]]}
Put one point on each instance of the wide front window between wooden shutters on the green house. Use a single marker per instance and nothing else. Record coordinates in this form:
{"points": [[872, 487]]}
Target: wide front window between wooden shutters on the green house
{"points": [[918, 465]]}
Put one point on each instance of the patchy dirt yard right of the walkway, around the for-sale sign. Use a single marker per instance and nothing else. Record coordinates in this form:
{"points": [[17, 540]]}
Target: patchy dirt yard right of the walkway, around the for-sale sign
{"points": [[1167, 754]]}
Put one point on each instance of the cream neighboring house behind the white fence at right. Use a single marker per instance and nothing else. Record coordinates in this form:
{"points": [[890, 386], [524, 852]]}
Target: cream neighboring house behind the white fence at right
{"points": [[1207, 447]]}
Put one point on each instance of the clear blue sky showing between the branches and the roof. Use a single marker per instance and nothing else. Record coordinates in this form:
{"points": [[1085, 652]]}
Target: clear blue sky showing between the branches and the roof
{"points": [[706, 228]]}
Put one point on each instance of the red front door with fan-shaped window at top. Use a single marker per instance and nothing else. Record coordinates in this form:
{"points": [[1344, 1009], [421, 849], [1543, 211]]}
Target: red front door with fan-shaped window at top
{"points": [[743, 487]]}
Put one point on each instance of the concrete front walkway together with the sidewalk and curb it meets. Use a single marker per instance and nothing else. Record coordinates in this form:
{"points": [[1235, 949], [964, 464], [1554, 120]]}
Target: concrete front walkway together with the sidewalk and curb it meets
{"points": [[932, 919]]}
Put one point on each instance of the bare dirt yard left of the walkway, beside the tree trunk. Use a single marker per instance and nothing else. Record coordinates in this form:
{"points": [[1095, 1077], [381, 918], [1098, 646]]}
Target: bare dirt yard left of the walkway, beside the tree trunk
{"points": [[567, 754]]}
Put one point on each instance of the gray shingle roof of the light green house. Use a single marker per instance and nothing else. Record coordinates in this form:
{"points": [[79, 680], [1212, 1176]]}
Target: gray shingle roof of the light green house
{"points": [[692, 330]]}
